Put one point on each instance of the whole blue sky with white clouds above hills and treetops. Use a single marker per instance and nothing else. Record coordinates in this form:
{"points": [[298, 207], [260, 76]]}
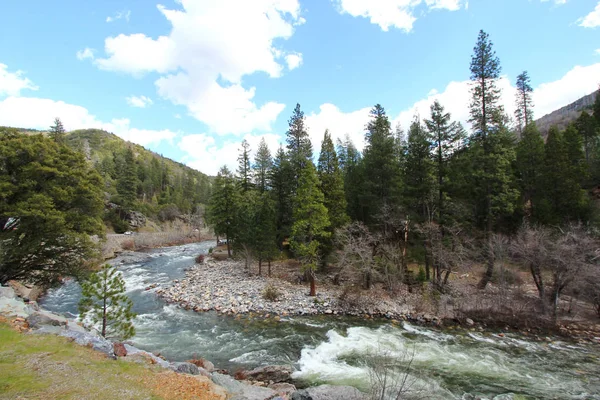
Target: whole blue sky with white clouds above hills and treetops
{"points": [[190, 79]]}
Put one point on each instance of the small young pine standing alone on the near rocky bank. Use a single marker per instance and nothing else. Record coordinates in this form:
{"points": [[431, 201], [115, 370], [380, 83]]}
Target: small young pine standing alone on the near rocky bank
{"points": [[104, 302]]}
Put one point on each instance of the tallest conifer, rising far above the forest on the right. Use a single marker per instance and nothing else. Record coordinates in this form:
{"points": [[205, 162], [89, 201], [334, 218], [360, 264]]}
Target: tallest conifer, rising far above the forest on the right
{"points": [[487, 118]]}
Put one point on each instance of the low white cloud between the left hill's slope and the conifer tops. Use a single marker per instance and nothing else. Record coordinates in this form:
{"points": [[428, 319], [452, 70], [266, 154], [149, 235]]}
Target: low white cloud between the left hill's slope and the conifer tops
{"points": [[203, 153]]}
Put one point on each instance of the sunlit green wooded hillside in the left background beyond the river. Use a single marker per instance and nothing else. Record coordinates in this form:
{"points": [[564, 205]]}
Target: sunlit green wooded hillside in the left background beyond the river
{"points": [[139, 180]]}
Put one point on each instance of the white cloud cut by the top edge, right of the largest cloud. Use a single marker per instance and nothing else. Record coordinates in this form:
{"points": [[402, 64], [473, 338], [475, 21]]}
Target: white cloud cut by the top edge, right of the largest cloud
{"points": [[393, 13]]}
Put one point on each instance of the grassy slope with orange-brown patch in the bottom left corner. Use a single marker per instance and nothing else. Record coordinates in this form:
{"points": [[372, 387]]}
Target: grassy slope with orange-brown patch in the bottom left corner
{"points": [[51, 367]]}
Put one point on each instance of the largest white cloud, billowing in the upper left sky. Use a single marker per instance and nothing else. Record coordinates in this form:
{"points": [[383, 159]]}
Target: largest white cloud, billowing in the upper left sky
{"points": [[206, 54]]}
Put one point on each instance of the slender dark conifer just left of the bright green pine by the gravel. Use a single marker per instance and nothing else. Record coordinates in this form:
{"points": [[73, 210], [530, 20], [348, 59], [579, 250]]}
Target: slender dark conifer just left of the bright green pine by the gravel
{"points": [[281, 181]]}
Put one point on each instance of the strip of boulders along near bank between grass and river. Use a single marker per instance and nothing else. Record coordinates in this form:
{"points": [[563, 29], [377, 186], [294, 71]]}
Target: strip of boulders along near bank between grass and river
{"points": [[262, 383]]}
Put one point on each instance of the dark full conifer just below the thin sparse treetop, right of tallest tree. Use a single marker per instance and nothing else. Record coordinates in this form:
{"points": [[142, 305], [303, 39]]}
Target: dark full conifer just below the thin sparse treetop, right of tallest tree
{"points": [[530, 171]]}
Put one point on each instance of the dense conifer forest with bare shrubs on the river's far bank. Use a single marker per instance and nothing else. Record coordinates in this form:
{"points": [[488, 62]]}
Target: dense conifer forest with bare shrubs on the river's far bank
{"points": [[437, 196]]}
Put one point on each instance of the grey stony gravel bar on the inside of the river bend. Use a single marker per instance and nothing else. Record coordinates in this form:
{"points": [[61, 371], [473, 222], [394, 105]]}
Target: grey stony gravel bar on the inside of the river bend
{"points": [[225, 287]]}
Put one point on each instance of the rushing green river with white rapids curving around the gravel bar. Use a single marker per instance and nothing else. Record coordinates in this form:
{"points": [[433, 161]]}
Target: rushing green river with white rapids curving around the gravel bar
{"points": [[444, 364]]}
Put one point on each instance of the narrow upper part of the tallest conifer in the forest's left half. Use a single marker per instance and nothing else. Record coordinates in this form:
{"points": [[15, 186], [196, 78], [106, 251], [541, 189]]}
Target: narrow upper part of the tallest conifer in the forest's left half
{"points": [[298, 144]]}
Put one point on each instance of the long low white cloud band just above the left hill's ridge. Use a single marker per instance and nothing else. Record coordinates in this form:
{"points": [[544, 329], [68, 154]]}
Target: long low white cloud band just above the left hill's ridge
{"points": [[38, 113]]}
